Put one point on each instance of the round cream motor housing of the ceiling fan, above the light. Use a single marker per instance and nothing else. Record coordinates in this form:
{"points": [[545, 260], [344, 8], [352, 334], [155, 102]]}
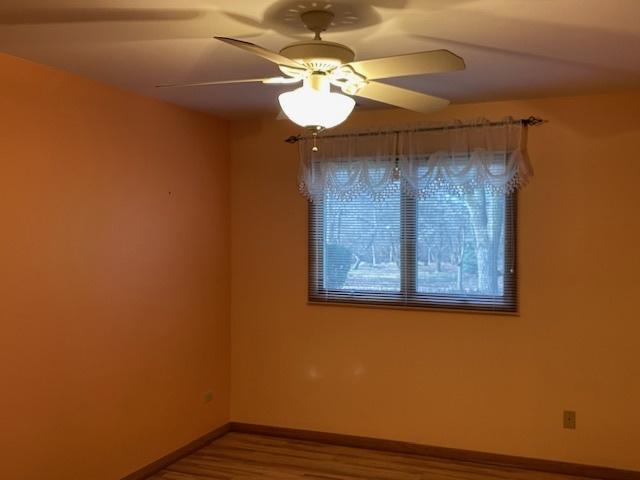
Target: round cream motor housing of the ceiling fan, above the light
{"points": [[318, 55]]}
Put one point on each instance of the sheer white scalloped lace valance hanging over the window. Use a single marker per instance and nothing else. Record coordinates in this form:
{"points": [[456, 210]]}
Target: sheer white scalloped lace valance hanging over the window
{"points": [[422, 159]]}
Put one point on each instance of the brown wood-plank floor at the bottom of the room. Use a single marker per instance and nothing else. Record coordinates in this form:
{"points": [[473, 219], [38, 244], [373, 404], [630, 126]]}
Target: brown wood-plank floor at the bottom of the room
{"points": [[244, 457]]}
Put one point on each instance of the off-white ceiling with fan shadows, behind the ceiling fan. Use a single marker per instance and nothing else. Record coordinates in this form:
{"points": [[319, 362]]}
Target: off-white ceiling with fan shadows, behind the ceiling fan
{"points": [[513, 48]]}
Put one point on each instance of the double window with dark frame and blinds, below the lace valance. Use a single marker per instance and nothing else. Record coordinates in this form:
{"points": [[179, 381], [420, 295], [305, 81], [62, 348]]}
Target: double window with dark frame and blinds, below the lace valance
{"points": [[448, 250]]}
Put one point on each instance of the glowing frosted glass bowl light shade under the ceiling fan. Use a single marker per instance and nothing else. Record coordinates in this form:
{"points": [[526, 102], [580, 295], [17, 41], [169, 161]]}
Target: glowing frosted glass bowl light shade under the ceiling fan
{"points": [[312, 108]]}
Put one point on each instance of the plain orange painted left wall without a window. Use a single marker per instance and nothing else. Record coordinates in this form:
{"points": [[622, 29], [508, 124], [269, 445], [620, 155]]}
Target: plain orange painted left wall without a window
{"points": [[114, 284]]}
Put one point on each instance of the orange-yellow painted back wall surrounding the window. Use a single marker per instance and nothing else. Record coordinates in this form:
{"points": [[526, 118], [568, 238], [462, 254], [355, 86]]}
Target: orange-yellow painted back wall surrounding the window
{"points": [[481, 382]]}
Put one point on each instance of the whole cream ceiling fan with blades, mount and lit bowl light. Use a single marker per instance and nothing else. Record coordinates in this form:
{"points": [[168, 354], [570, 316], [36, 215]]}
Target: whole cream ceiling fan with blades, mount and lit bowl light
{"points": [[320, 64]]}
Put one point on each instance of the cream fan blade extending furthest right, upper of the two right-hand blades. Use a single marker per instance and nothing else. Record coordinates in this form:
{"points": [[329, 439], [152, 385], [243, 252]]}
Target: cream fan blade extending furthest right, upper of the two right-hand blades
{"points": [[434, 61]]}
